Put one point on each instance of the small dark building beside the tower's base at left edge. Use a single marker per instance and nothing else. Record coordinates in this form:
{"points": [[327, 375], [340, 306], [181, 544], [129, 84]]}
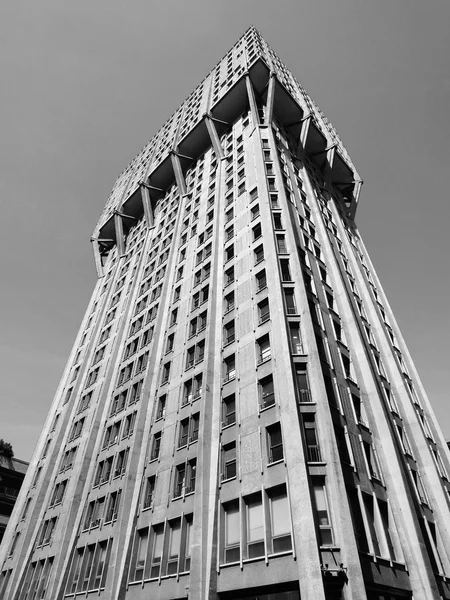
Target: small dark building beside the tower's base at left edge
{"points": [[12, 473]]}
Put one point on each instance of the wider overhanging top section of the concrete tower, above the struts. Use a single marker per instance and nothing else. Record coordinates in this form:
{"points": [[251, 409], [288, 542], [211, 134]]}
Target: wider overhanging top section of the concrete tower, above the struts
{"points": [[222, 96]]}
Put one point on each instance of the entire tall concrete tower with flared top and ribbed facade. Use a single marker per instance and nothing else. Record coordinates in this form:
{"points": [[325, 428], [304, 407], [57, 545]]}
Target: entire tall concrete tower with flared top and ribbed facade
{"points": [[239, 417]]}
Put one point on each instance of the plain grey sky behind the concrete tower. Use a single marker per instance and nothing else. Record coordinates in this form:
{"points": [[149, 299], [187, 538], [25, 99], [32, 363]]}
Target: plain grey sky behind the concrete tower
{"points": [[86, 84]]}
